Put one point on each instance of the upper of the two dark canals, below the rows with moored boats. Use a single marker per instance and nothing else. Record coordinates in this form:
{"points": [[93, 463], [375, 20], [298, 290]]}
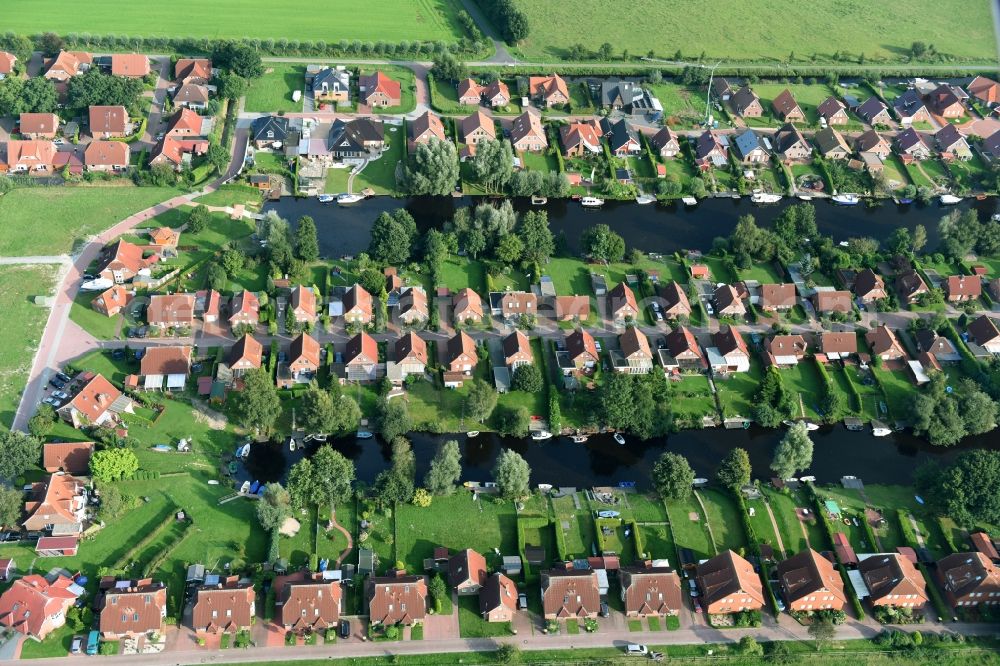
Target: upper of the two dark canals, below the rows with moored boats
{"points": [[652, 228]]}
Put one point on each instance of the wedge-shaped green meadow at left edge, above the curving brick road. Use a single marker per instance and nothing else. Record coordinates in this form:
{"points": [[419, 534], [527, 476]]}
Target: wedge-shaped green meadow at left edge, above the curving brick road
{"points": [[70, 215]]}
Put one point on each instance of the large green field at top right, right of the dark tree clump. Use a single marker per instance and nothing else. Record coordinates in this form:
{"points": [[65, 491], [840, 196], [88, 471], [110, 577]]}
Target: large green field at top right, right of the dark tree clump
{"points": [[765, 30]]}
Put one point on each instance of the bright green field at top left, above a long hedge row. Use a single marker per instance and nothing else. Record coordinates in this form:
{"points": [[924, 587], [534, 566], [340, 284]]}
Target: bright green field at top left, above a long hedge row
{"points": [[389, 20]]}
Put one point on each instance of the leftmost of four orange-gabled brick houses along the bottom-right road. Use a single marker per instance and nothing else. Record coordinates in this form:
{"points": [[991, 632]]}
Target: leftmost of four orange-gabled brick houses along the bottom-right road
{"points": [[728, 584]]}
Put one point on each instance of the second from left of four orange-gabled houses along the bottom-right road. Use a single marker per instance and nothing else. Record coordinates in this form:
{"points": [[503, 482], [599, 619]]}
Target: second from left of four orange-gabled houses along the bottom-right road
{"points": [[809, 582]]}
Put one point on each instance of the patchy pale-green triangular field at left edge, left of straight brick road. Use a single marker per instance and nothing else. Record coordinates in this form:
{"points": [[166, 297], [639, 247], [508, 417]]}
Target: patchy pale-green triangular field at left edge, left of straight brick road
{"points": [[22, 326]]}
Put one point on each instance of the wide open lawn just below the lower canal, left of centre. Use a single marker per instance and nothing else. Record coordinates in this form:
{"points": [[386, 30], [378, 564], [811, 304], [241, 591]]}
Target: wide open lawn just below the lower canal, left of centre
{"points": [[453, 522]]}
